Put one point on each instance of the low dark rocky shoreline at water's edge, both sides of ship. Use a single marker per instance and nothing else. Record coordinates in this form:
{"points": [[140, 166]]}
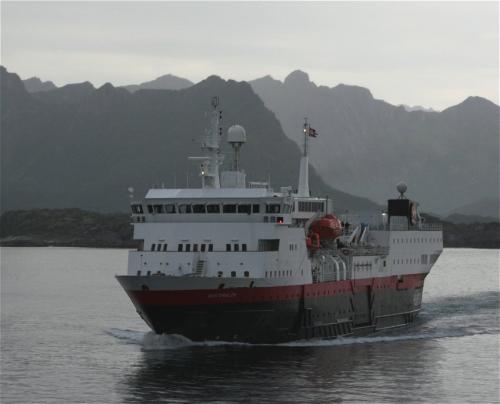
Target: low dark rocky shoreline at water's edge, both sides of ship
{"points": [[80, 228]]}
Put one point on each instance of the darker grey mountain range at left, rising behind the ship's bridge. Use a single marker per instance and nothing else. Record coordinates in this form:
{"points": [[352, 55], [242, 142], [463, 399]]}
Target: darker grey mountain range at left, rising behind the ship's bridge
{"points": [[83, 147]]}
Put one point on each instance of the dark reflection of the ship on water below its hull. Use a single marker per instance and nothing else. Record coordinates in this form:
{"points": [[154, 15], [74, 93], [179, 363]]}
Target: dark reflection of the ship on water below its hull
{"points": [[281, 374]]}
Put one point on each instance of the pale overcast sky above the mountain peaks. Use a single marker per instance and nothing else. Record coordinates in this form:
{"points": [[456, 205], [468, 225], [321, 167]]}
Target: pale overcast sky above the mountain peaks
{"points": [[430, 54]]}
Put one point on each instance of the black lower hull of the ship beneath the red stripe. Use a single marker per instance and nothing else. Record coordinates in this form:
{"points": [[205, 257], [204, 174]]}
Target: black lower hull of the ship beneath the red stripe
{"points": [[361, 310]]}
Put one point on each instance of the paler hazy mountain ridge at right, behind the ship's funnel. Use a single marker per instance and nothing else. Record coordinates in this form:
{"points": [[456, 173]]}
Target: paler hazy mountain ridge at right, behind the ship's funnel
{"points": [[366, 145]]}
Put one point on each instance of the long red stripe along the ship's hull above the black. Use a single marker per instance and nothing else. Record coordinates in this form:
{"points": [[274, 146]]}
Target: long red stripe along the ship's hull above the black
{"points": [[268, 294]]}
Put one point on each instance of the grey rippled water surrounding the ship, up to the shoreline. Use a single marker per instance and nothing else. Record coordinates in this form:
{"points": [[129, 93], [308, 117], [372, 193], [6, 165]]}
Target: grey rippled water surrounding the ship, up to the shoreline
{"points": [[69, 334]]}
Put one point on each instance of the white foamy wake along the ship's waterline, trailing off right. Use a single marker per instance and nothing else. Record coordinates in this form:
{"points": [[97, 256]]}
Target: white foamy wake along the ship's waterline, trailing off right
{"points": [[450, 317]]}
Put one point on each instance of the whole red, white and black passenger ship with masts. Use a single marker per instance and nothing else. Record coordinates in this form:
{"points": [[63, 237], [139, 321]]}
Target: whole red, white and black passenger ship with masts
{"points": [[235, 260]]}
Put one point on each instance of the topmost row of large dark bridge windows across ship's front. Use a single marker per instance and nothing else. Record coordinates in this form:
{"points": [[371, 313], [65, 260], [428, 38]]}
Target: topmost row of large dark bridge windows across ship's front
{"points": [[242, 208]]}
